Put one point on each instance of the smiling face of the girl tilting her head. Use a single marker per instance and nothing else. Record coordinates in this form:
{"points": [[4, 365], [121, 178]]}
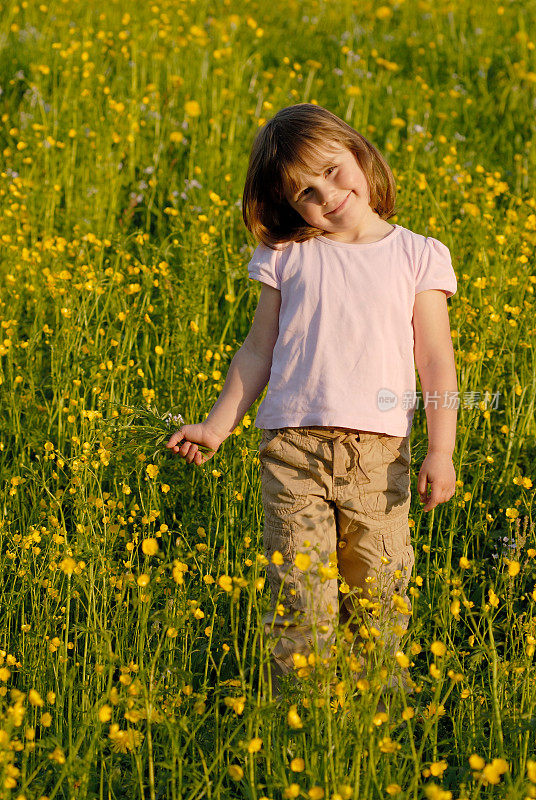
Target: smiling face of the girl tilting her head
{"points": [[337, 199]]}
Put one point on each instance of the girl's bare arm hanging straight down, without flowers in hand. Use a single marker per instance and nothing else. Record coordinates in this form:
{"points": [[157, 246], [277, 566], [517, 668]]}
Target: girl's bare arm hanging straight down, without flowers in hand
{"points": [[434, 359]]}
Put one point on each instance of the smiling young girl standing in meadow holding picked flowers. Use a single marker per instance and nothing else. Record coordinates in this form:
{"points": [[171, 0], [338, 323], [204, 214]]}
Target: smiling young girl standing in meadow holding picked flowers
{"points": [[349, 305]]}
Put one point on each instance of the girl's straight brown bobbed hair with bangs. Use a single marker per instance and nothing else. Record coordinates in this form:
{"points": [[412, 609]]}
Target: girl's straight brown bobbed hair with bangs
{"points": [[283, 147]]}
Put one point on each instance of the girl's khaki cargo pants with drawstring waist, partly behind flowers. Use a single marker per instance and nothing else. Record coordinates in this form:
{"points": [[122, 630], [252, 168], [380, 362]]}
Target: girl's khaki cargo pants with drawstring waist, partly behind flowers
{"points": [[335, 500]]}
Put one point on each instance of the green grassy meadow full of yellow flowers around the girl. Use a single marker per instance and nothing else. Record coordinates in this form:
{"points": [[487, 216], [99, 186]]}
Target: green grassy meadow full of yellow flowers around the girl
{"points": [[133, 585]]}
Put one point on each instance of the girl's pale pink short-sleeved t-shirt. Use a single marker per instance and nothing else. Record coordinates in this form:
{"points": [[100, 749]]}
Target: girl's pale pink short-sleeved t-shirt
{"points": [[344, 354]]}
